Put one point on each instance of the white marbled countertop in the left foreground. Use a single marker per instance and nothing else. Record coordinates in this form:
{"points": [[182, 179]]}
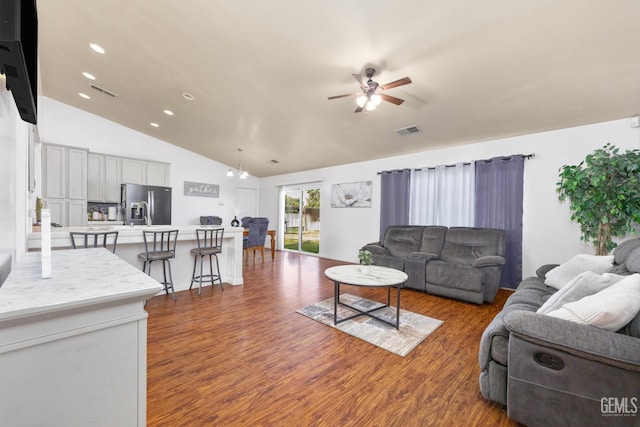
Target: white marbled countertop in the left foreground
{"points": [[80, 278]]}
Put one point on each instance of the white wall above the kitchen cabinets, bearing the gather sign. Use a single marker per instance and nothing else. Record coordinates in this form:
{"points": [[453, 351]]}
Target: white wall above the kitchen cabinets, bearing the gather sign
{"points": [[62, 124]]}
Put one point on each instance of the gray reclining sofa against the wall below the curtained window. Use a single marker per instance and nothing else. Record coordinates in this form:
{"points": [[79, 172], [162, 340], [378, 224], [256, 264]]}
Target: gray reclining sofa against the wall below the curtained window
{"points": [[457, 262]]}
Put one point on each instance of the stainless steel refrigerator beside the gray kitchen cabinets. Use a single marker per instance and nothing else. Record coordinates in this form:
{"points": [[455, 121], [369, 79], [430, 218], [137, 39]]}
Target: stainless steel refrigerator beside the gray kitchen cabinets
{"points": [[141, 202]]}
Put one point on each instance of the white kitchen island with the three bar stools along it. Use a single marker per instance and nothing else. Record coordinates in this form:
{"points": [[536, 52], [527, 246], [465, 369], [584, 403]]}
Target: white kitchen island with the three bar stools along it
{"points": [[131, 243]]}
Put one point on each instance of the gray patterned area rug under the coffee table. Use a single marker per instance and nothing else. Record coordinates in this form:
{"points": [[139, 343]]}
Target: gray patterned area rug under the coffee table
{"points": [[414, 328]]}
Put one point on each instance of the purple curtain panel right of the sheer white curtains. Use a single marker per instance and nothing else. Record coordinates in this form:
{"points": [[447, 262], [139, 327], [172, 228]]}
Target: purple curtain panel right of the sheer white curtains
{"points": [[499, 188]]}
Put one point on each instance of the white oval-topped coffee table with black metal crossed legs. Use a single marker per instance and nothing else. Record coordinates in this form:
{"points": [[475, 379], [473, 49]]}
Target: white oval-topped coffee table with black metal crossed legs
{"points": [[377, 277]]}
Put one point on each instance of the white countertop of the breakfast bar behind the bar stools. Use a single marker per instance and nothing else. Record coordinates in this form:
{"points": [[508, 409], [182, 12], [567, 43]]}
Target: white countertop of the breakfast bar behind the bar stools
{"points": [[126, 234]]}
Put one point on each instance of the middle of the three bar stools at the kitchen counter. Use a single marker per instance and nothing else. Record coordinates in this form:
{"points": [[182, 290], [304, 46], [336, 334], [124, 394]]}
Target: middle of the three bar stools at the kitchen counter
{"points": [[160, 245]]}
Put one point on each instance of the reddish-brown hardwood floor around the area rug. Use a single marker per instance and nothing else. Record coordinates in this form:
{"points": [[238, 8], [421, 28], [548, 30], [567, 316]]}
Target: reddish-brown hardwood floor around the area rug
{"points": [[244, 357]]}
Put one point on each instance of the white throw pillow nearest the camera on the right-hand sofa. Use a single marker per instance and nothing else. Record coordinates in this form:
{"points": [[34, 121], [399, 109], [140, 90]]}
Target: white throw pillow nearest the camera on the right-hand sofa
{"points": [[609, 309]]}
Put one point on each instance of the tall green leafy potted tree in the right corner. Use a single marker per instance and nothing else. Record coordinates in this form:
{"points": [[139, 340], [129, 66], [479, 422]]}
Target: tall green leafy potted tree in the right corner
{"points": [[604, 195]]}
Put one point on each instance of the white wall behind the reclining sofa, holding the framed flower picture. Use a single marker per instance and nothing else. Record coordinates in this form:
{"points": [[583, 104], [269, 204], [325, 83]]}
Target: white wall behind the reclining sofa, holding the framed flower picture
{"points": [[549, 235]]}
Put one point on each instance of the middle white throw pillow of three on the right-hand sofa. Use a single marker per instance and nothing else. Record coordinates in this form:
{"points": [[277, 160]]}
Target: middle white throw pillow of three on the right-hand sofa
{"points": [[583, 285]]}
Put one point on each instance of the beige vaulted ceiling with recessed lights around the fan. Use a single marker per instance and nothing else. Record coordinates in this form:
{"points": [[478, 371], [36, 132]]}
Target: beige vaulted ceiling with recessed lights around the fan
{"points": [[260, 72]]}
